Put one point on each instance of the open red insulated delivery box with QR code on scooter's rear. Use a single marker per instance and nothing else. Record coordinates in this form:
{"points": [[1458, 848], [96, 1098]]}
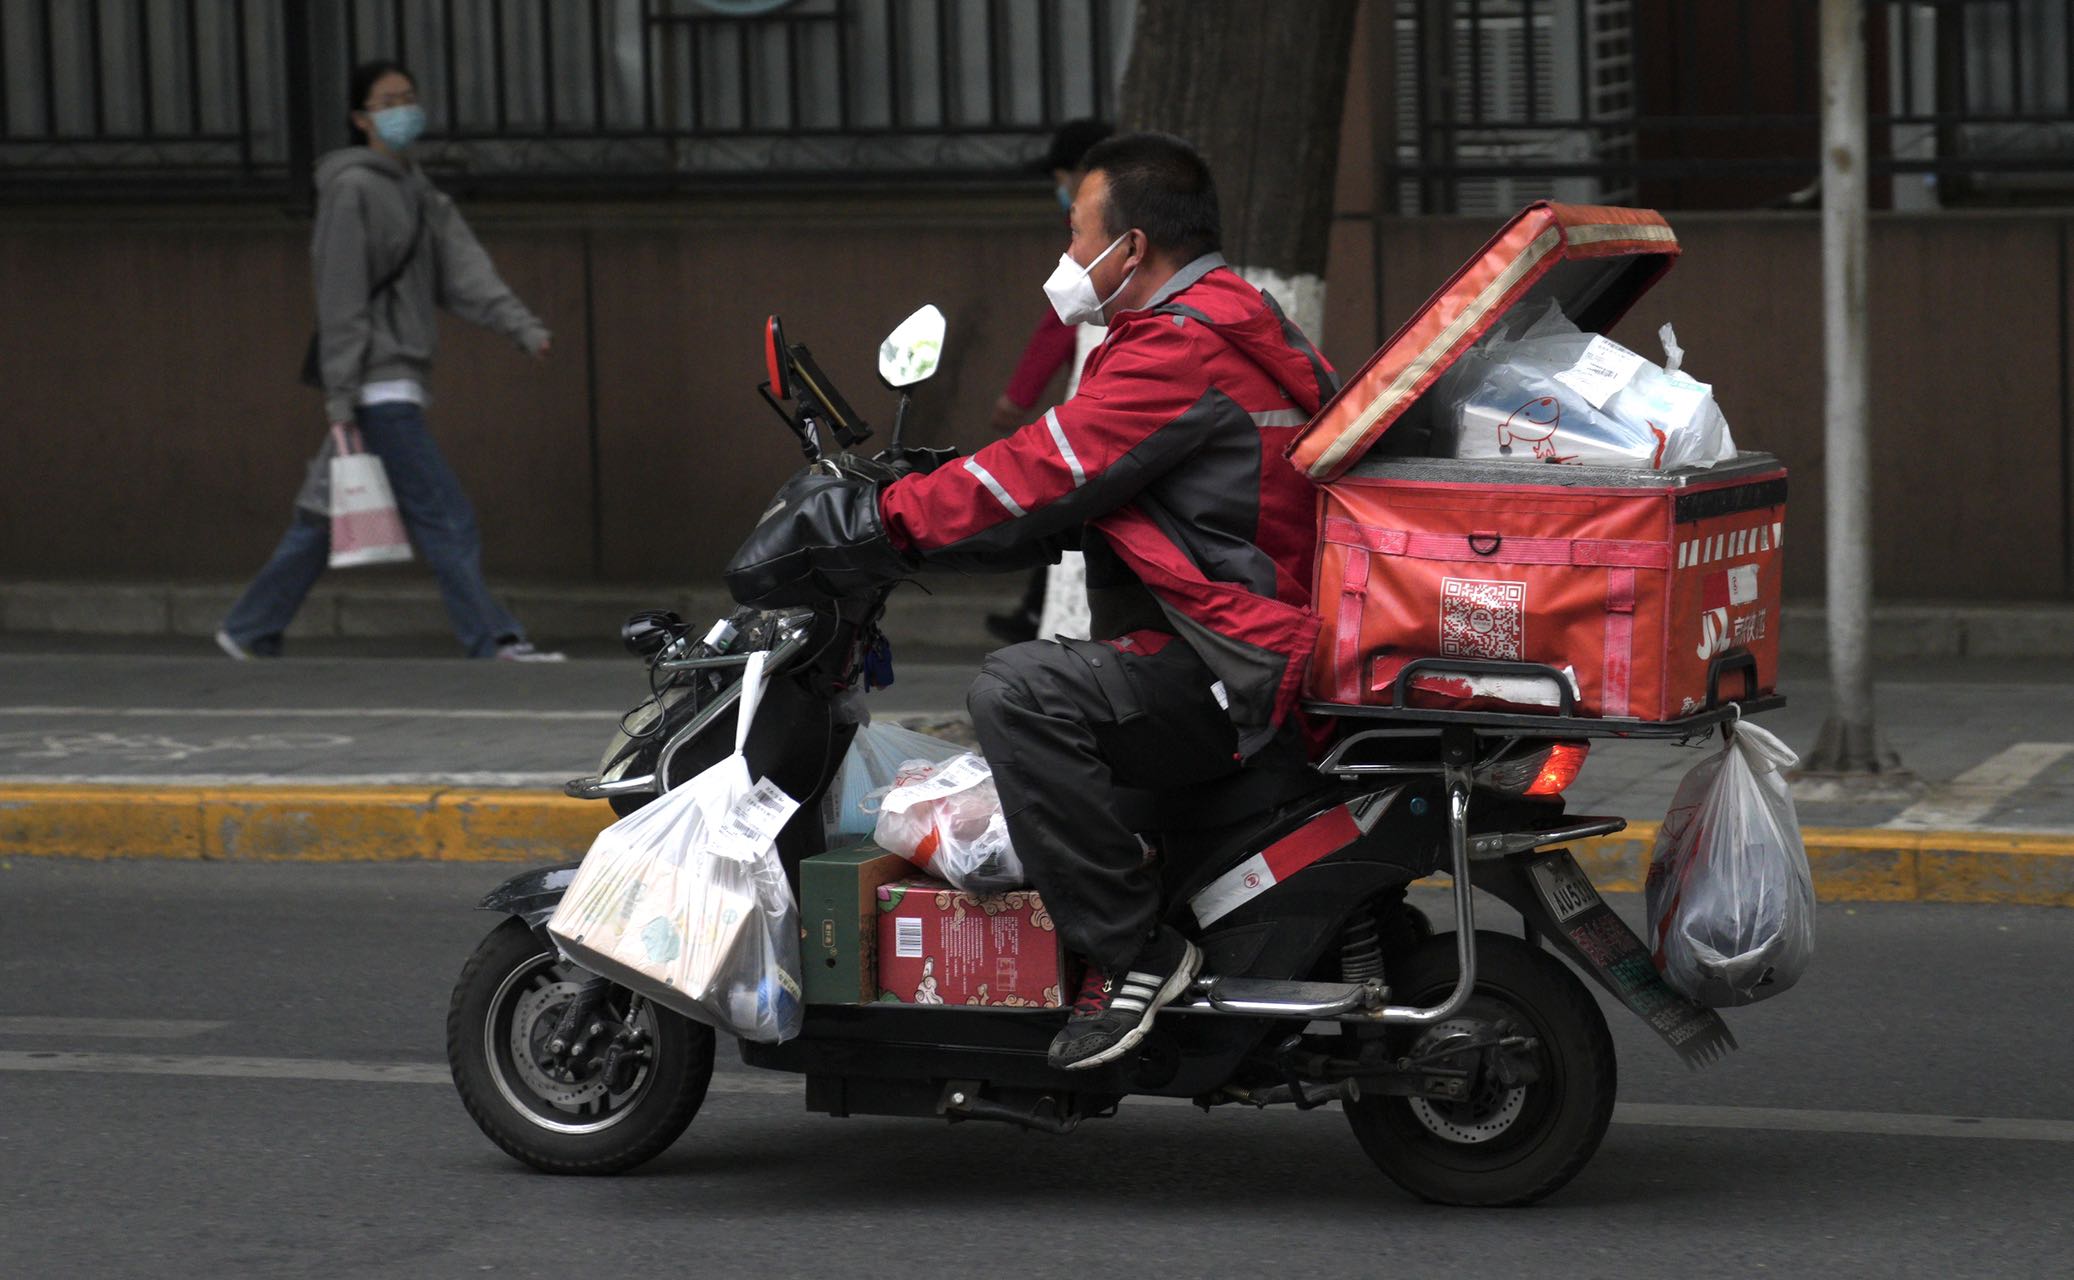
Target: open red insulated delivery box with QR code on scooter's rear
{"points": [[1648, 594]]}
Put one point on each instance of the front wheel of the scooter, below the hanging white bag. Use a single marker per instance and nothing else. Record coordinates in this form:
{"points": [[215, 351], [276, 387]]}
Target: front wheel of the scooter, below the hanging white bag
{"points": [[557, 1117]]}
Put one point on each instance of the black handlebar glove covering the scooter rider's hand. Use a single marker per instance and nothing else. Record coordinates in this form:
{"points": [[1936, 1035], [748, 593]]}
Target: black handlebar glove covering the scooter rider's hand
{"points": [[820, 540]]}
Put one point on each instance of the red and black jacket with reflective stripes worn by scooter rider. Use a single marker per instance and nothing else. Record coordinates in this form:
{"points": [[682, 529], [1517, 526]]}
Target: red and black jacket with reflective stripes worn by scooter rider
{"points": [[1169, 468]]}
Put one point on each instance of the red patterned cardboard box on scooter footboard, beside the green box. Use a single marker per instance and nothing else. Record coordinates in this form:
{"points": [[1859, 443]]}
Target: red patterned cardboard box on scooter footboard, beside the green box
{"points": [[947, 947]]}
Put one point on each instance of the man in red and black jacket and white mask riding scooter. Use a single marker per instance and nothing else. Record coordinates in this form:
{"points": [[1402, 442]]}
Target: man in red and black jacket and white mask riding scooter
{"points": [[1169, 472]]}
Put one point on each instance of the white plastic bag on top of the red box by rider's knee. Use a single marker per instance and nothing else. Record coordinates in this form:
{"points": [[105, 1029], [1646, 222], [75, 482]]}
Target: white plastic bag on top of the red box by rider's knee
{"points": [[947, 818]]}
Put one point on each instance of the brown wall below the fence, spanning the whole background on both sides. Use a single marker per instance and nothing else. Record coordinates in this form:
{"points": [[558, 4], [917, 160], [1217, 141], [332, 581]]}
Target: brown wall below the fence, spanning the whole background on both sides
{"points": [[152, 428]]}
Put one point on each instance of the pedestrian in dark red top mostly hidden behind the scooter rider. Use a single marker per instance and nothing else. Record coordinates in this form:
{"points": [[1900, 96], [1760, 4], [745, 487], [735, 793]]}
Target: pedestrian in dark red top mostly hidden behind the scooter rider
{"points": [[1055, 603]]}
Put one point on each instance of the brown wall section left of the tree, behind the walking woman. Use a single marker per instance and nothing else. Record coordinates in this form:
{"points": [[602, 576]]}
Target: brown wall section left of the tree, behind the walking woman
{"points": [[152, 424]]}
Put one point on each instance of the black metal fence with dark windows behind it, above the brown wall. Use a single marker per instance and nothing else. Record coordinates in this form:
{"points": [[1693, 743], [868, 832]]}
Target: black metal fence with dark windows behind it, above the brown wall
{"points": [[1492, 103]]}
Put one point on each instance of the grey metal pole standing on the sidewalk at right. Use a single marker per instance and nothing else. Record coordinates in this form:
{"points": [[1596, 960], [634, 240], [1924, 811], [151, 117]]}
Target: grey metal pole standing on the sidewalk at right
{"points": [[1847, 742]]}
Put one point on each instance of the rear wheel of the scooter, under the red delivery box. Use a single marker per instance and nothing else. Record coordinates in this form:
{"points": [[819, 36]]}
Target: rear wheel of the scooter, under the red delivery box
{"points": [[1501, 1146]]}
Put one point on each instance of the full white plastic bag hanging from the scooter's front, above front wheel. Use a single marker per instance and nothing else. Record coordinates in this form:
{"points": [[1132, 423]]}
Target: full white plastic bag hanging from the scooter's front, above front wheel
{"points": [[688, 903]]}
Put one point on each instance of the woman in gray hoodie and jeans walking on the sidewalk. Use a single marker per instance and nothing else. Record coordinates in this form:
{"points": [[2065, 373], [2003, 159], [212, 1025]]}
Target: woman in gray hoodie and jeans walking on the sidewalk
{"points": [[389, 248]]}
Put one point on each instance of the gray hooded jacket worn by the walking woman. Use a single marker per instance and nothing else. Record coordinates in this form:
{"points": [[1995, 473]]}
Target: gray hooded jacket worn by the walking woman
{"points": [[366, 208]]}
